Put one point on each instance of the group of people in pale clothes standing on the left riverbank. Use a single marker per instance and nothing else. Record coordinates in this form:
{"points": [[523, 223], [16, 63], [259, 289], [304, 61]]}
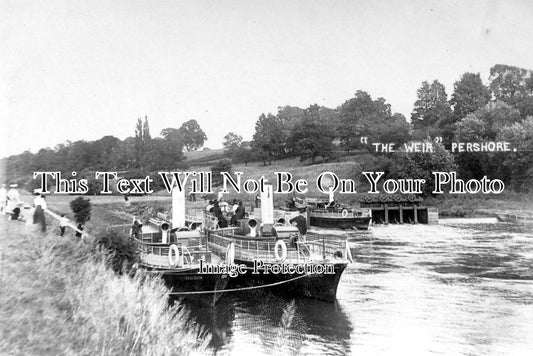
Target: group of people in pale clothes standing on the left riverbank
{"points": [[12, 206]]}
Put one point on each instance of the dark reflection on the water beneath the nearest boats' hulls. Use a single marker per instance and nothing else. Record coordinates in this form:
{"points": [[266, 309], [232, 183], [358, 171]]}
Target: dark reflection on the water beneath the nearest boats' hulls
{"points": [[262, 322]]}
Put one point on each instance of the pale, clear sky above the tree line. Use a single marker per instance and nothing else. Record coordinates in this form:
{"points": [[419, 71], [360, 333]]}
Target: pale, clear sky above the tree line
{"points": [[80, 70]]}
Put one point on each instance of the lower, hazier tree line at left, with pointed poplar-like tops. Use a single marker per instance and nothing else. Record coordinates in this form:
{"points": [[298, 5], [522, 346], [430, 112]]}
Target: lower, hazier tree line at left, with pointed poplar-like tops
{"points": [[134, 156]]}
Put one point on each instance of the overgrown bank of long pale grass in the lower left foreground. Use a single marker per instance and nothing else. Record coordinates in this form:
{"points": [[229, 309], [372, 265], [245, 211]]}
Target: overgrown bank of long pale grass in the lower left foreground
{"points": [[57, 298]]}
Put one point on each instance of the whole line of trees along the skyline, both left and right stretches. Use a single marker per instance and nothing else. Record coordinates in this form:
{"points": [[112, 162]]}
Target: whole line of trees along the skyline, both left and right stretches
{"points": [[475, 112]]}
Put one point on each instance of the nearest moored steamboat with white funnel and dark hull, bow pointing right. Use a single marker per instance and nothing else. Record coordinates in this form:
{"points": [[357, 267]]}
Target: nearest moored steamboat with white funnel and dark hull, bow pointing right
{"points": [[273, 255]]}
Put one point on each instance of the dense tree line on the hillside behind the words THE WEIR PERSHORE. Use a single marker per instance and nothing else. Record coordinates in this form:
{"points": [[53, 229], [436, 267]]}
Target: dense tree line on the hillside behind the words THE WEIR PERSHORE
{"points": [[475, 112]]}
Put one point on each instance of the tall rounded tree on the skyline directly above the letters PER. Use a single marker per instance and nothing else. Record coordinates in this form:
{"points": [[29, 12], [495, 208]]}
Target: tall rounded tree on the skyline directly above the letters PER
{"points": [[469, 94]]}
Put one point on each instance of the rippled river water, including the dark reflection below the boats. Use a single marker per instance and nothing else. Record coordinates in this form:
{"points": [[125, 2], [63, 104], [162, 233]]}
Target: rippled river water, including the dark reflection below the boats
{"points": [[464, 287]]}
